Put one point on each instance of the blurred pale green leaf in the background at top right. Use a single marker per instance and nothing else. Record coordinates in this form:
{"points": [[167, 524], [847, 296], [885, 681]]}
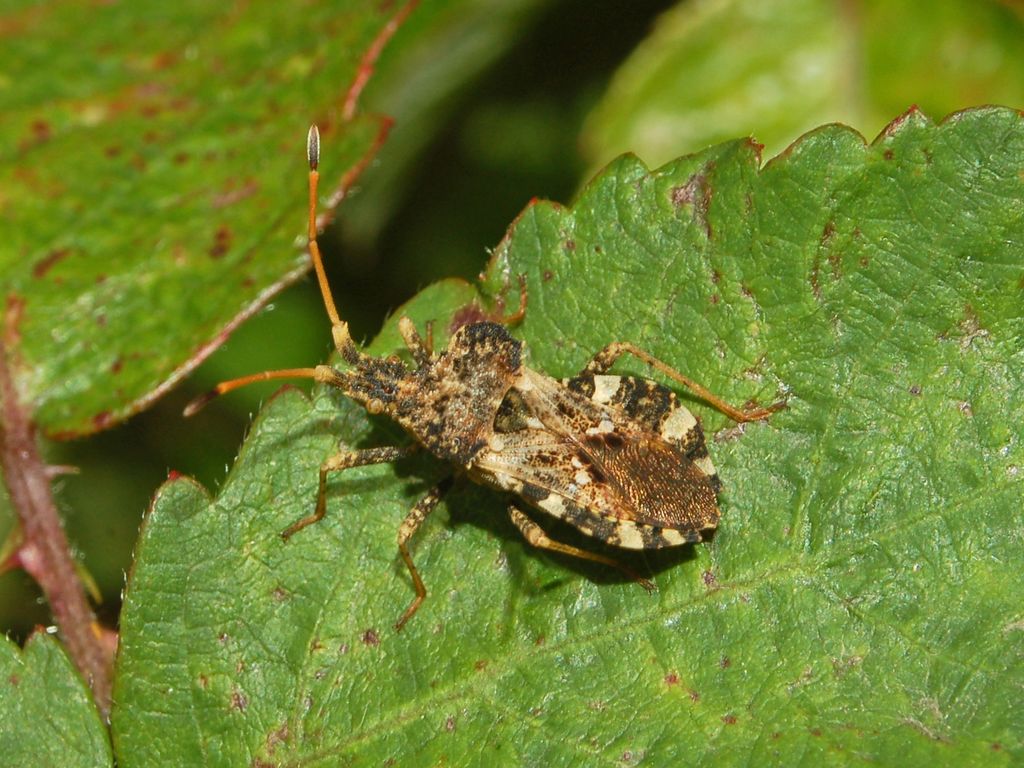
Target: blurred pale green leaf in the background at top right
{"points": [[779, 68]]}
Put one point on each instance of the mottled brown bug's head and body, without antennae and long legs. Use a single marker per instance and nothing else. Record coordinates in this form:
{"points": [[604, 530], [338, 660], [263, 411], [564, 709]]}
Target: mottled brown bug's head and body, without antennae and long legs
{"points": [[617, 457]]}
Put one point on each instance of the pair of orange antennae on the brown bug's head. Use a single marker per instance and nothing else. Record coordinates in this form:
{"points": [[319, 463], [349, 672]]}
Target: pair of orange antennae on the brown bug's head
{"points": [[339, 329]]}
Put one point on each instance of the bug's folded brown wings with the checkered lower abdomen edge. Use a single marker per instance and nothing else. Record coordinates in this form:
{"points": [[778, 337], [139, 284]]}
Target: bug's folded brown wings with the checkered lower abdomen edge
{"points": [[588, 463]]}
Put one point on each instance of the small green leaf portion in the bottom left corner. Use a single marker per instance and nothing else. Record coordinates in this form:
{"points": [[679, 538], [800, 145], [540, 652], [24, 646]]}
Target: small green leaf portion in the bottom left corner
{"points": [[47, 712]]}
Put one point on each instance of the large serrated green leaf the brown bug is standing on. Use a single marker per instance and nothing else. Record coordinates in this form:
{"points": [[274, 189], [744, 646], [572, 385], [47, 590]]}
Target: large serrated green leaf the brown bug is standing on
{"points": [[861, 602]]}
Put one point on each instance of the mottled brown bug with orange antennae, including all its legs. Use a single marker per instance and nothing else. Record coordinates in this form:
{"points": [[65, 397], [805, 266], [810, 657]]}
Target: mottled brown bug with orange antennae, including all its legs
{"points": [[620, 458]]}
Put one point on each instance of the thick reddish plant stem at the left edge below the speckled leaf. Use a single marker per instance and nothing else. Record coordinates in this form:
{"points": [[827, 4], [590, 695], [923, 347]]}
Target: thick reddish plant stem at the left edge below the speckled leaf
{"points": [[45, 552]]}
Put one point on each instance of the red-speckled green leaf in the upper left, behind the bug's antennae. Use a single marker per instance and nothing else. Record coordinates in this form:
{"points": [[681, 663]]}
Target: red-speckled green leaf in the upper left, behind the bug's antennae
{"points": [[152, 168]]}
